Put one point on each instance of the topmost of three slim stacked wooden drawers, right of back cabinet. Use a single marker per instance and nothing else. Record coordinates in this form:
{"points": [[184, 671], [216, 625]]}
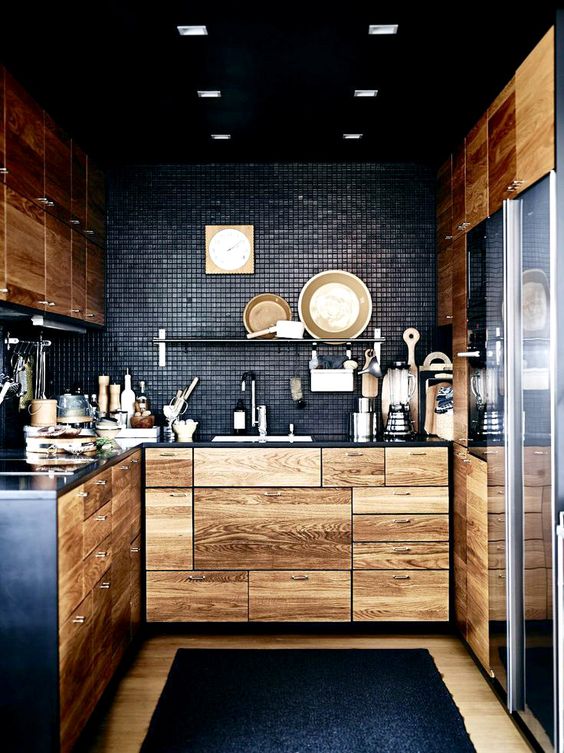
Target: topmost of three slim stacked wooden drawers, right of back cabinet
{"points": [[424, 499]]}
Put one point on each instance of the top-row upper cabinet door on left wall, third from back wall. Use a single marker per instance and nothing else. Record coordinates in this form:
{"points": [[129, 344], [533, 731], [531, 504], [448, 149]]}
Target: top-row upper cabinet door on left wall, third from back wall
{"points": [[57, 170]]}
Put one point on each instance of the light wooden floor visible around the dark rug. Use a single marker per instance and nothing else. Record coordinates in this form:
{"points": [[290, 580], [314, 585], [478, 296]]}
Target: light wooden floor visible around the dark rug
{"points": [[123, 726]]}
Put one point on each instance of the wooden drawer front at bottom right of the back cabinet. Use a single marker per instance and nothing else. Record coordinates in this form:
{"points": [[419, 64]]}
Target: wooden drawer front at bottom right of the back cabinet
{"points": [[404, 595]]}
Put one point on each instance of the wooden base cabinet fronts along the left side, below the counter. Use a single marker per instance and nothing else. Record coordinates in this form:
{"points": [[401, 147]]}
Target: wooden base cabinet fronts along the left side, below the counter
{"points": [[99, 588]]}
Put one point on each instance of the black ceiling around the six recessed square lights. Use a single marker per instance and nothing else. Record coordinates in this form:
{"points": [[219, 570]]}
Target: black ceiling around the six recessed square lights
{"points": [[119, 77]]}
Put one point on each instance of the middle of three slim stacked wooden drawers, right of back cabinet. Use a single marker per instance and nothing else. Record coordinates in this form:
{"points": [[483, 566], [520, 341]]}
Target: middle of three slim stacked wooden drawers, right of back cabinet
{"points": [[400, 528]]}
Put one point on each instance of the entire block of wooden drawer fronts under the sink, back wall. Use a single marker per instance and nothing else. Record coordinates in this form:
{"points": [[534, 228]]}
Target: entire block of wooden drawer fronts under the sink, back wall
{"points": [[297, 534]]}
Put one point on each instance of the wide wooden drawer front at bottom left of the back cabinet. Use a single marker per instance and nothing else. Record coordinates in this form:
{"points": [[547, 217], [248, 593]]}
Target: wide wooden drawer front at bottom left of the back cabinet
{"points": [[197, 597]]}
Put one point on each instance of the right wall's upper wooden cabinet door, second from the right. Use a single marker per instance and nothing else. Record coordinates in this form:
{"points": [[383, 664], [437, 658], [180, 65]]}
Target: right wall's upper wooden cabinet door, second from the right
{"points": [[502, 148]]}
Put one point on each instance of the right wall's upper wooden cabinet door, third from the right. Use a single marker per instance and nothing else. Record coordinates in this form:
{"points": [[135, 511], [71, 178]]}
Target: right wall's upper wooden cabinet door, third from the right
{"points": [[476, 194]]}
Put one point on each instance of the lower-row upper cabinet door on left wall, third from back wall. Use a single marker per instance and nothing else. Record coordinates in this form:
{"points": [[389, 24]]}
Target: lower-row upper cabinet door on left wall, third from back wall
{"points": [[58, 266]]}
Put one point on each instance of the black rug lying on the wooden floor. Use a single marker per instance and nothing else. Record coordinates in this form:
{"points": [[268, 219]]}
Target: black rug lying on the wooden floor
{"points": [[305, 701]]}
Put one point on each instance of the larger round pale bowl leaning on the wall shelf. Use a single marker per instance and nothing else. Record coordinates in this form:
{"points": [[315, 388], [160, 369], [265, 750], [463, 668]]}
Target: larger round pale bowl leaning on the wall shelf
{"points": [[334, 304]]}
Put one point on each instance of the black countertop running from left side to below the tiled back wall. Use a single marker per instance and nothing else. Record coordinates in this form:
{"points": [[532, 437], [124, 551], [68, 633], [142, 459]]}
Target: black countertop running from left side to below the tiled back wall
{"points": [[39, 486]]}
